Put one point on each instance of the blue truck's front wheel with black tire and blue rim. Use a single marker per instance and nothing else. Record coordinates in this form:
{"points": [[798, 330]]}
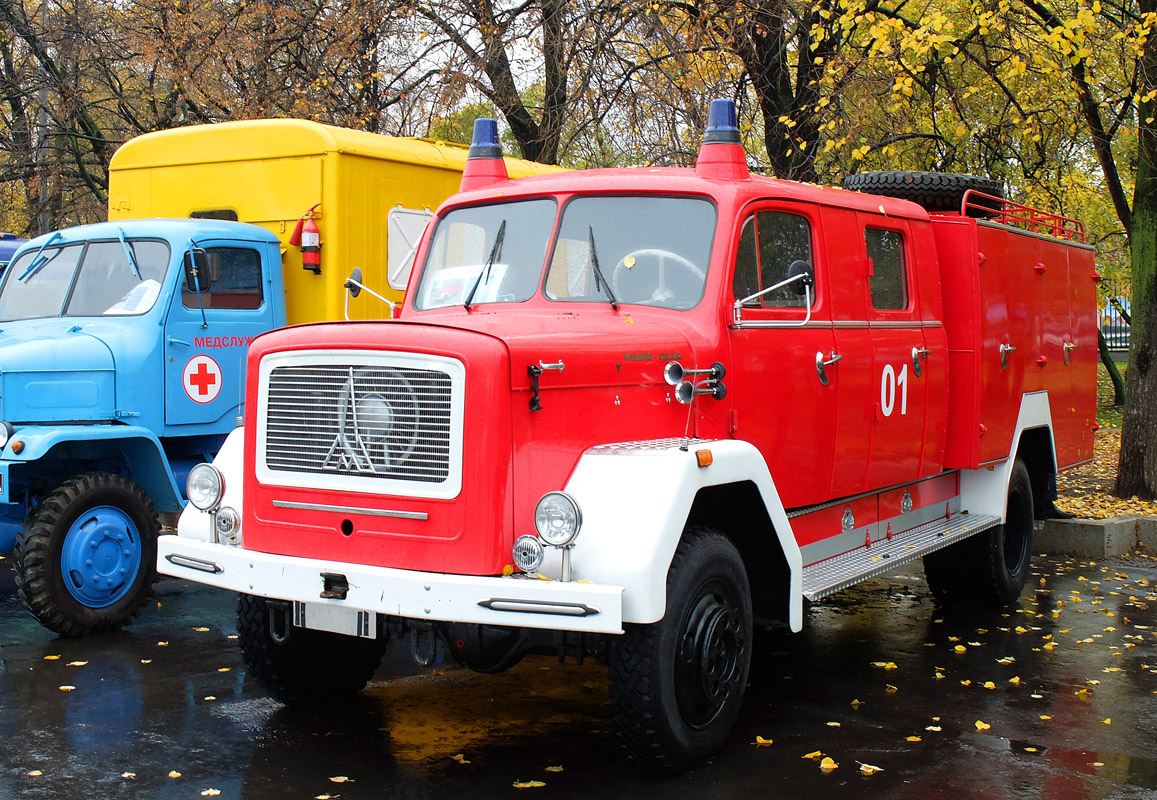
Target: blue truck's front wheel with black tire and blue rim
{"points": [[86, 560]]}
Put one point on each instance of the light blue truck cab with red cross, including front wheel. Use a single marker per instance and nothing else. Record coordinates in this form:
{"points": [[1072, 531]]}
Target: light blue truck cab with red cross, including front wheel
{"points": [[122, 366]]}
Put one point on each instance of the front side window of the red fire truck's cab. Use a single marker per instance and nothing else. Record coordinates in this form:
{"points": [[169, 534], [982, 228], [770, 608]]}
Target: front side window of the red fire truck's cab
{"points": [[770, 244]]}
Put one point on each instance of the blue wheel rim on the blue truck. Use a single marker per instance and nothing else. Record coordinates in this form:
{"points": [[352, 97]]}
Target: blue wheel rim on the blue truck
{"points": [[101, 556]]}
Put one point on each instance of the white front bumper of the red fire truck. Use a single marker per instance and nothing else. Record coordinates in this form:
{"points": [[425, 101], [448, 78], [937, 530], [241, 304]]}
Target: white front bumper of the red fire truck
{"points": [[518, 603]]}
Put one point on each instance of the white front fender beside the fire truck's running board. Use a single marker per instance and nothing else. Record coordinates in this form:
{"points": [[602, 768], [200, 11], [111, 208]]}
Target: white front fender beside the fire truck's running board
{"points": [[636, 500]]}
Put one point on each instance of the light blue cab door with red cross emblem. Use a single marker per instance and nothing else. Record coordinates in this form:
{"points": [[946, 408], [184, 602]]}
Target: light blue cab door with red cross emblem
{"points": [[208, 336]]}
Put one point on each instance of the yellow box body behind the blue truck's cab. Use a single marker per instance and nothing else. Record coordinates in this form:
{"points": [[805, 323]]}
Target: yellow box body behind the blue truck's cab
{"points": [[374, 196]]}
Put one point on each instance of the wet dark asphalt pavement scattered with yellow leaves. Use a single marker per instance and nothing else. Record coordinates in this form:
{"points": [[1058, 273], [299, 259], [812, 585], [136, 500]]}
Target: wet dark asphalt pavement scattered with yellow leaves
{"points": [[1053, 699]]}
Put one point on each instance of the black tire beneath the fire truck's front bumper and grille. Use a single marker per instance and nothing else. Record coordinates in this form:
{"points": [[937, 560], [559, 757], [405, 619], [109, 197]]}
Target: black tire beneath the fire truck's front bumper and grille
{"points": [[308, 667]]}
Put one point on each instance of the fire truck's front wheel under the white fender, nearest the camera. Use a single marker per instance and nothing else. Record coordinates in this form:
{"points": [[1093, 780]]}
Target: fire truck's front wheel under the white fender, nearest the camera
{"points": [[677, 685]]}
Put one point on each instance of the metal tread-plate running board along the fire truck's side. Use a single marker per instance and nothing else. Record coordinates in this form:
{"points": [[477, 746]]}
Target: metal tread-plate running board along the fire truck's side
{"points": [[839, 573]]}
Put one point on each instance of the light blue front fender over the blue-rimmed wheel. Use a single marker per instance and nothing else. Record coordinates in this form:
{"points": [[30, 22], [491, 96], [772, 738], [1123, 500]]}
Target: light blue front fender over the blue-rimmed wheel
{"points": [[137, 447]]}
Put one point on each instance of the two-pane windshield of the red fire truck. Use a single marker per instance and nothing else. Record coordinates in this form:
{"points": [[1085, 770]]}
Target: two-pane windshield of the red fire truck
{"points": [[648, 251]]}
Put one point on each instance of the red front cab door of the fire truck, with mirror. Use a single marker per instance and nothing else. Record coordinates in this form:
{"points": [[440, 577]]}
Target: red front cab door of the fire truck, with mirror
{"points": [[780, 401]]}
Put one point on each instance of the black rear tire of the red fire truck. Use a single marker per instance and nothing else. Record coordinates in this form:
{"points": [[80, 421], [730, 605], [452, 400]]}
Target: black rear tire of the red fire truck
{"points": [[992, 568]]}
